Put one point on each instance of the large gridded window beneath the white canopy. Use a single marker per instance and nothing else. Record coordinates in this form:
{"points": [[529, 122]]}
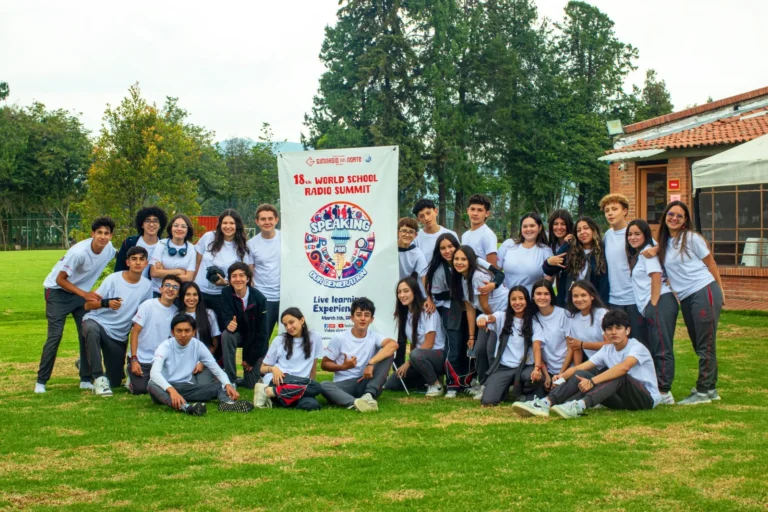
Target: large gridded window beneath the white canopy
{"points": [[734, 220]]}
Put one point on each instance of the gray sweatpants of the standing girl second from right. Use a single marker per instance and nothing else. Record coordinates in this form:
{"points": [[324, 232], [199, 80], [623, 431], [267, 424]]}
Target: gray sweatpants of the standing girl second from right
{"points": [[661, 320]]}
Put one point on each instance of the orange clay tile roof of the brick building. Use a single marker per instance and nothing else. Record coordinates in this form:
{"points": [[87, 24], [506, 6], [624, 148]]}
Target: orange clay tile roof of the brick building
{"points": [[736, 129]]}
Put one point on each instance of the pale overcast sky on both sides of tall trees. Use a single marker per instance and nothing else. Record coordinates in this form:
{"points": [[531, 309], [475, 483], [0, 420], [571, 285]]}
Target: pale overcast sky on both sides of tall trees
{"points": [[235, 65]]}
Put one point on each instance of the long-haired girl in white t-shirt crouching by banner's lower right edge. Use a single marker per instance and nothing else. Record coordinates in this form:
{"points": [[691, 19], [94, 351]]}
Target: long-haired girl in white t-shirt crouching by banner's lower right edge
{"points": [[425, 332]]}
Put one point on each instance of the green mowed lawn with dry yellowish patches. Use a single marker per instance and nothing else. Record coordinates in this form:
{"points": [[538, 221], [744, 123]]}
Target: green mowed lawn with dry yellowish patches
{"points": [[70, 449]]}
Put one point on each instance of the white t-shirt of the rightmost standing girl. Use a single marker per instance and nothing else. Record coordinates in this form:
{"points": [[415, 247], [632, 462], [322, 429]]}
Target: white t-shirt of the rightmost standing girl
{"points": [[687, 273]]}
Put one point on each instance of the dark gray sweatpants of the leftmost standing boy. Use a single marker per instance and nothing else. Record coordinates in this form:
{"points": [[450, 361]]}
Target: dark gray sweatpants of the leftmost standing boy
{"points": [[58, 305]]}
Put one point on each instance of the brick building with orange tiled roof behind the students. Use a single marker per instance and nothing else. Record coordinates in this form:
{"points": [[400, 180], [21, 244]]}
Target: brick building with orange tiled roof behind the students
{"points": [[651, 164]]}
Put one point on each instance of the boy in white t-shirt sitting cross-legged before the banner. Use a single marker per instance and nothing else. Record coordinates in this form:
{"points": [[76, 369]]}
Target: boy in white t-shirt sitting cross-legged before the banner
{"points": [[360, 359]]}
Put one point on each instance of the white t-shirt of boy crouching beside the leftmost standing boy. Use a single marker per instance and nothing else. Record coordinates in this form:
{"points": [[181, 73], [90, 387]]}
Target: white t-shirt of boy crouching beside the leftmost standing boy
{"points": [[117, 324]]}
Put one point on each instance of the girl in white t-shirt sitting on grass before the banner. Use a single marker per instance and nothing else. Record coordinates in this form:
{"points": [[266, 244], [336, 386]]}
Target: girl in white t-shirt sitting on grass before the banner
{"points": [[290, 366]]}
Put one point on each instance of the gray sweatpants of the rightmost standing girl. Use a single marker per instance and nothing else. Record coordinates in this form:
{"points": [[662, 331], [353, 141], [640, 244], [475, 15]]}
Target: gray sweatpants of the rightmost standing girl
{"points": [[701, 312]]}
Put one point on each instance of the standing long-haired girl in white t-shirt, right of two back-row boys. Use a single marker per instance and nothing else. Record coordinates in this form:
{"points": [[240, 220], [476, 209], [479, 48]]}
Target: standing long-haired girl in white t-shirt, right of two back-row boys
{"points": [[521, 259]]}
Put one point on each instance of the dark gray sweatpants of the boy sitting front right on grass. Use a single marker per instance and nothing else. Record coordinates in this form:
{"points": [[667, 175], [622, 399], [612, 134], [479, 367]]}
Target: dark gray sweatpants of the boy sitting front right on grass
{"points": [[623, 393]]}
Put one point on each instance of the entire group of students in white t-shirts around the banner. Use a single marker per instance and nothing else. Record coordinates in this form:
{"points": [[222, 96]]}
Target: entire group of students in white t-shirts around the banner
{"points": [[567, 319]]}
